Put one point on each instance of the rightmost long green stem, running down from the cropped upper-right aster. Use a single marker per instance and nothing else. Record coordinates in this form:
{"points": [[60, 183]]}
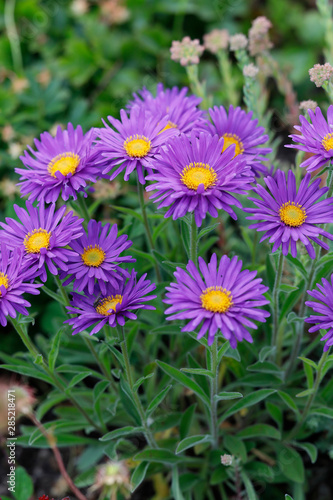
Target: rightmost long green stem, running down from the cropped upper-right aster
{"points": [[308, 286]]}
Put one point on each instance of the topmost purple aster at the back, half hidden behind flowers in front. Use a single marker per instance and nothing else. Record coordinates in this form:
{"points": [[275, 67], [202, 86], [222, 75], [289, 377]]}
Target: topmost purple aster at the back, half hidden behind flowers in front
{"points": [[182, 110]]}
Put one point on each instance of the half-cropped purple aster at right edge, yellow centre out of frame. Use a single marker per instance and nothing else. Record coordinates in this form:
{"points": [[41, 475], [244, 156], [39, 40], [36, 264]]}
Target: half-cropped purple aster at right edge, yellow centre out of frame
{"points": [[324, 306]]}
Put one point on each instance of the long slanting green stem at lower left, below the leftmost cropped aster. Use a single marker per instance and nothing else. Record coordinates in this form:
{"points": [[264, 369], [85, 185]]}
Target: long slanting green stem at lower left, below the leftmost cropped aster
{"points": [[61, 385]]}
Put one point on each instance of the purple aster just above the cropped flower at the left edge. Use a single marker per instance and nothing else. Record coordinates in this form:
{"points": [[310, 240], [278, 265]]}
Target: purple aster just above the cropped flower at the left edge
{"points": [[43, 235]]}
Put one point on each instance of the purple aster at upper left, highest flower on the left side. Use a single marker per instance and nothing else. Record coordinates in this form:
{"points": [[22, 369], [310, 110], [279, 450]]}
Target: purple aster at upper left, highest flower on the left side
{"points": [[61, 164]]}
